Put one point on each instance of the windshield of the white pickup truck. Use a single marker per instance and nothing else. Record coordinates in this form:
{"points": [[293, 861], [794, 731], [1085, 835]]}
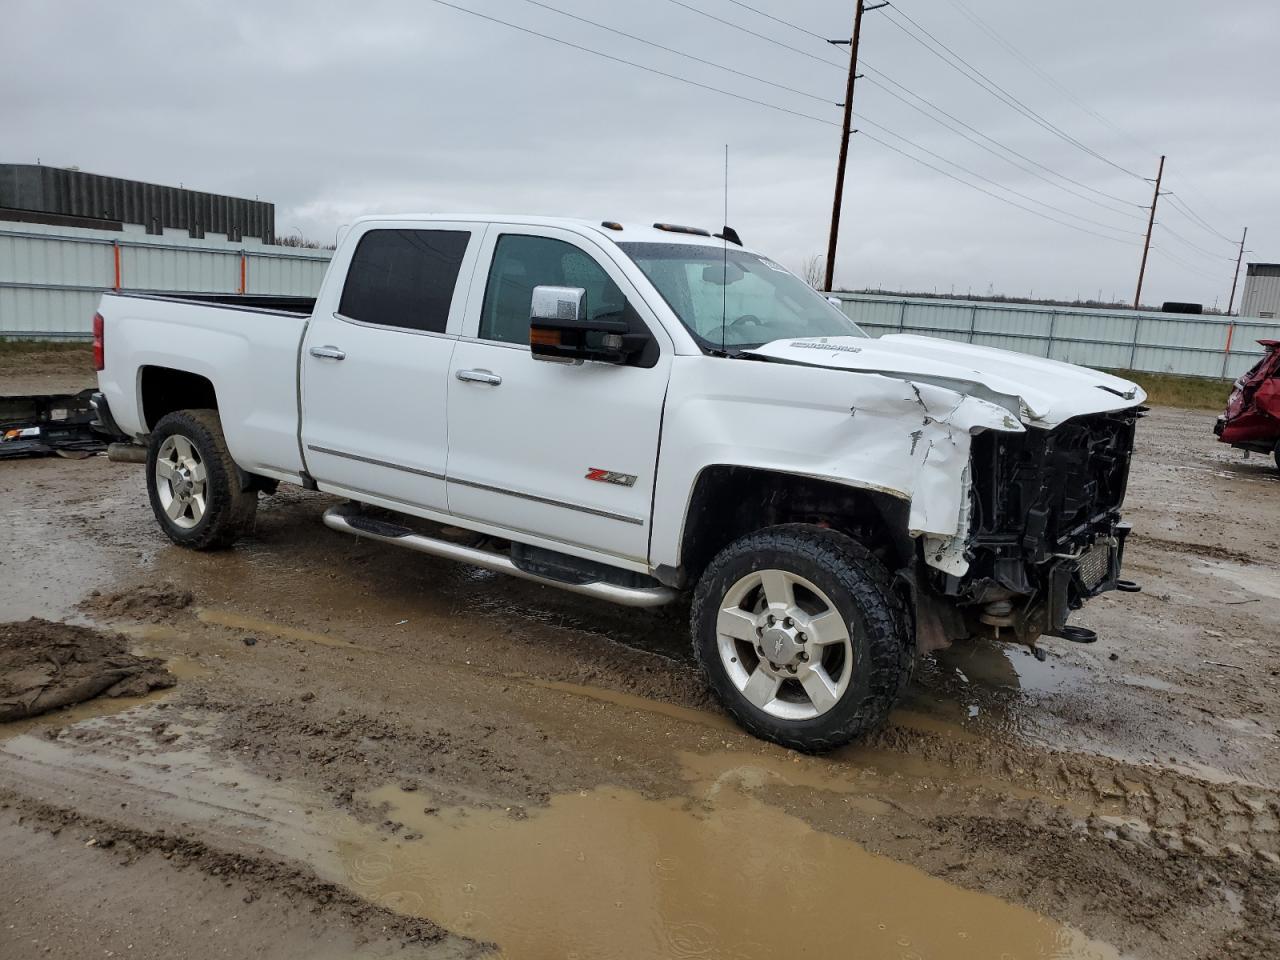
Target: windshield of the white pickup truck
{"points": [[737, 299]]}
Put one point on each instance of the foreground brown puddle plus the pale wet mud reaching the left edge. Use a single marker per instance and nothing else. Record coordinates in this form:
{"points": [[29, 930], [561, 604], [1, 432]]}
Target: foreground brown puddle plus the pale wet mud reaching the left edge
{"points": [[598, 874]]}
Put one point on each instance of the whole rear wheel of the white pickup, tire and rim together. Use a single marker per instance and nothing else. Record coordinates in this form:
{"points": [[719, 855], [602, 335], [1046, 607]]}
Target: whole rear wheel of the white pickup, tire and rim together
{"points": [[194, 484]]}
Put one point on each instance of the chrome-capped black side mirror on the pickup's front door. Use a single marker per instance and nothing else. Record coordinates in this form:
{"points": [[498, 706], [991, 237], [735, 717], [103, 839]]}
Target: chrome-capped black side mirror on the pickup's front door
{"points": [[560, 330]]}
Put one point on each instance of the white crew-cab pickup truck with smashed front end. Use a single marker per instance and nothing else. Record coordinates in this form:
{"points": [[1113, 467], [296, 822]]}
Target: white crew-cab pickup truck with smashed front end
{"points": [[632, 413]]}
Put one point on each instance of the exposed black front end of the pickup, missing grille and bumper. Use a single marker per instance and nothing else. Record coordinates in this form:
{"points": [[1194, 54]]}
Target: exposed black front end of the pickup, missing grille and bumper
{"points": [[1046, 533]]}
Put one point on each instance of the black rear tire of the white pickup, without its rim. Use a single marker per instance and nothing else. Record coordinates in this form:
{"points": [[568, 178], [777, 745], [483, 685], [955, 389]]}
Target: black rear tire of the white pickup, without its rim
{"points": [[230, 511]]}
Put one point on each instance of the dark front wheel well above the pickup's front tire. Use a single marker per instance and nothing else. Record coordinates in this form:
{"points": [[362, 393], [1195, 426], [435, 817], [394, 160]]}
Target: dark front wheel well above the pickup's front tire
{"points": [[730, 502]]}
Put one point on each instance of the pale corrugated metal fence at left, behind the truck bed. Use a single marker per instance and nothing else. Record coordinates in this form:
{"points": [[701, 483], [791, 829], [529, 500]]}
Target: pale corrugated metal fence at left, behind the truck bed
{"points": [[52, 277]]}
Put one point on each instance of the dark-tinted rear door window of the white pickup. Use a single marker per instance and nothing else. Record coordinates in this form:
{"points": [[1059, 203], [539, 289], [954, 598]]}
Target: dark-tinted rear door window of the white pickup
{"points": [[404, 278]]}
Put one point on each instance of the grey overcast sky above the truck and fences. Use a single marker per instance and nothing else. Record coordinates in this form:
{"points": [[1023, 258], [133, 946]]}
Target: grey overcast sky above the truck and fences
{"points": [[333, 111]]}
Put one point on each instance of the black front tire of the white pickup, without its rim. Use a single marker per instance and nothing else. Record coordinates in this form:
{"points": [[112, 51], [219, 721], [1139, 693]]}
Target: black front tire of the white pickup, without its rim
{"points": [[861, 588]]}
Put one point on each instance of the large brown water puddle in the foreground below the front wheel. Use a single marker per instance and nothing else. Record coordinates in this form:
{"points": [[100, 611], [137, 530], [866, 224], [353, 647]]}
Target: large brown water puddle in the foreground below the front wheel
{"points": [[609, 874]]}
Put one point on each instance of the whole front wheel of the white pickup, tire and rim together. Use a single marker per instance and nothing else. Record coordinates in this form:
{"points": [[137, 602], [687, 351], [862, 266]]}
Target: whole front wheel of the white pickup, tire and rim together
{"points": [[801, 637]]}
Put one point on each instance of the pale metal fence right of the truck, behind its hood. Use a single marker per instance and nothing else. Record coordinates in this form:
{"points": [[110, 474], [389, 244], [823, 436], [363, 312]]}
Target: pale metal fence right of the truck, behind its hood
{"points": [[1119, 340]]}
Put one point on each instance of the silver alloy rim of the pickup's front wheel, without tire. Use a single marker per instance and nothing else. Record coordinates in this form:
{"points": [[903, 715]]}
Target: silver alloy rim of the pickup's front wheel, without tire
{"points": [[784, 644]]}
